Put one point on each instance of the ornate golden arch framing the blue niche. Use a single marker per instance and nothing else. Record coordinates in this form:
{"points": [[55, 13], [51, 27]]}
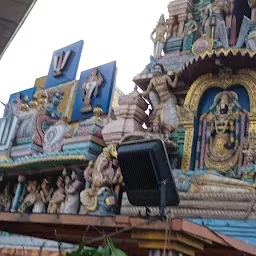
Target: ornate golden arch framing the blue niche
{"points": [[245, 77]]}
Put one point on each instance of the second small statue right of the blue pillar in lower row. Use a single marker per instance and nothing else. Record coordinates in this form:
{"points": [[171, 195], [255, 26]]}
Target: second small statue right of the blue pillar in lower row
{"points": [[43, 197]]}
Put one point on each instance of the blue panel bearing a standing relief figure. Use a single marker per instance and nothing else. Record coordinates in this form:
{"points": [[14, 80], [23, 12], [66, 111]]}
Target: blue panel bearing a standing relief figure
{"points": [[95, 87]]}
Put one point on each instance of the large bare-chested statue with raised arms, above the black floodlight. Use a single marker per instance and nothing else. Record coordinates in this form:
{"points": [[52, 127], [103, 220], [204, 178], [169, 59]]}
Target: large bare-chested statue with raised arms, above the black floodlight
{"points": [[165, 103]]}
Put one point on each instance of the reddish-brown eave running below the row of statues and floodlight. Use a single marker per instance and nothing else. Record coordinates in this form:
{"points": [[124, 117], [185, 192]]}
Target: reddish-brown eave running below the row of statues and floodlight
{"points": [[186, 236]]}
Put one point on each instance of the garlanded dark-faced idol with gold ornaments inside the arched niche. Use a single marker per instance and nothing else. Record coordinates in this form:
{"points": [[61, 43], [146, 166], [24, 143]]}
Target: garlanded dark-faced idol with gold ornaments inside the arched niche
{"points": [[221, 131]]}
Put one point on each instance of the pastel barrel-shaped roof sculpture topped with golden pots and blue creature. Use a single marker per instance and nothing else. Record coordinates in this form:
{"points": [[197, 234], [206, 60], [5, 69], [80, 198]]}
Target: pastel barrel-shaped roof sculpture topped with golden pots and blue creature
{"points": [[36, 120]]}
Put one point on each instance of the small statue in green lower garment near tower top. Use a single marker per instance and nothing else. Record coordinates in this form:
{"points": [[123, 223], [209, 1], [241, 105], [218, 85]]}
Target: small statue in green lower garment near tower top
{"points": [[189, 31]]}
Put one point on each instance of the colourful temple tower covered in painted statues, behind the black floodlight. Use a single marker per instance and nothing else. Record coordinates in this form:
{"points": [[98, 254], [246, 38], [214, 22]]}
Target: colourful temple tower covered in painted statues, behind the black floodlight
{"points": [[60, 175]]}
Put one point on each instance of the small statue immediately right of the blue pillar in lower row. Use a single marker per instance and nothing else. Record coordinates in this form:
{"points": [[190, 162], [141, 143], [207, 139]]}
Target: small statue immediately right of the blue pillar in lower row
{"points": [[30, 199]]}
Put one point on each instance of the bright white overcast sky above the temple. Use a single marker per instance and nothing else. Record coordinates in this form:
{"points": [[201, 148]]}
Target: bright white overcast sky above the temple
{"points": [[111, 29]]}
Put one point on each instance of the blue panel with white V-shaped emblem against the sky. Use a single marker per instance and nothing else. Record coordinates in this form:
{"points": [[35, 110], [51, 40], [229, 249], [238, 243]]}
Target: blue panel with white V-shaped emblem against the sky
{"points": [[64, 64]]}
